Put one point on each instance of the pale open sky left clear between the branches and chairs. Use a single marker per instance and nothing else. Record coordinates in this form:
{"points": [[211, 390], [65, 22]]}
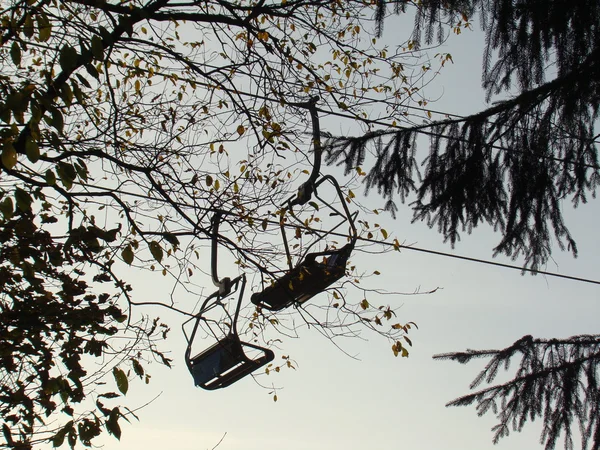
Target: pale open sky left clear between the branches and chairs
{"points": [[374, 400]]}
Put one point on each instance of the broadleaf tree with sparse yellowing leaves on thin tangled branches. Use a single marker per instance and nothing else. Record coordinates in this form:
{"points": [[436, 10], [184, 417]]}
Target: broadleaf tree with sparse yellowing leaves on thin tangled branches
{"points": [[124, 127]]}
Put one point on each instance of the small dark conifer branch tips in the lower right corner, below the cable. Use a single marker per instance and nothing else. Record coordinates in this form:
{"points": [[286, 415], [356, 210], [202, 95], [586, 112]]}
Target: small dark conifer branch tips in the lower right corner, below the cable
{"points": [[557, 381]]}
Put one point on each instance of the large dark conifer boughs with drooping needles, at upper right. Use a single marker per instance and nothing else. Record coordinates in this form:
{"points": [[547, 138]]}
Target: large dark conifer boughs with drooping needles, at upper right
{"points": [[513, 164]]}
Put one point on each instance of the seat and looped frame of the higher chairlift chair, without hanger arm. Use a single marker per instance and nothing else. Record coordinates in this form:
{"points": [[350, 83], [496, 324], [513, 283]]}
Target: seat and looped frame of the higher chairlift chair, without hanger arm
{"points": [[310, 277]]}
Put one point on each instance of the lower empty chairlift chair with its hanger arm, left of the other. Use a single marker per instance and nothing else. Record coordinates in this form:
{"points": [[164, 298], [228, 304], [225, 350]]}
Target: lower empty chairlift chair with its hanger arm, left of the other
{"points": [[229, 359]]}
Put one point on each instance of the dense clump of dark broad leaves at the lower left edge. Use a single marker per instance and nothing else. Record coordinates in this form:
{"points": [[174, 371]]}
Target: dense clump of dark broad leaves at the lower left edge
{"points": [[51, 321]]}
